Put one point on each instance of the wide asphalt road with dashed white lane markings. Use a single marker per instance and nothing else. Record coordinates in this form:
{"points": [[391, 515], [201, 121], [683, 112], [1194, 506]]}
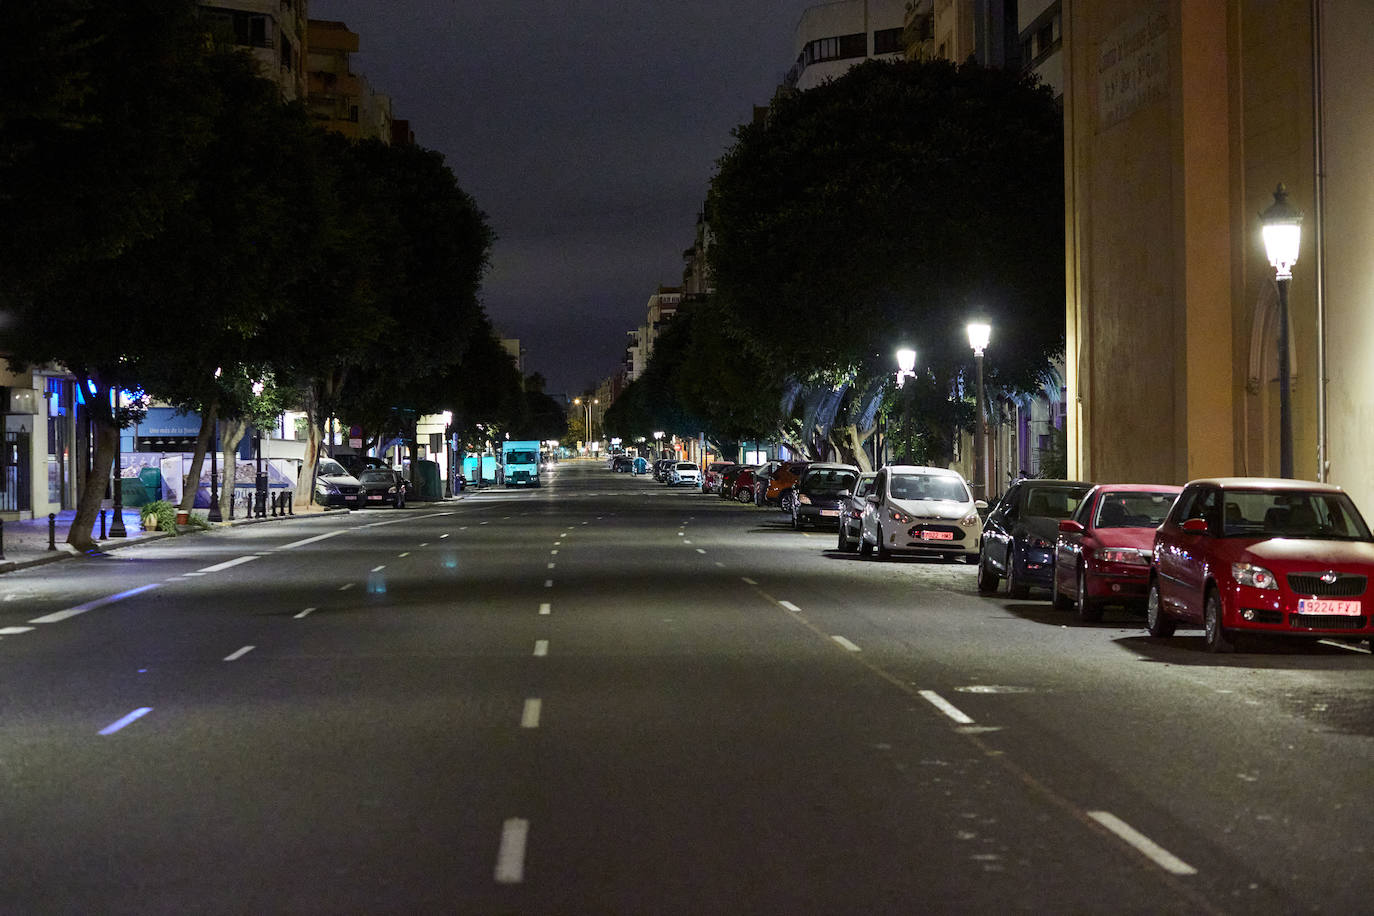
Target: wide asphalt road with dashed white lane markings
{"points": [[607, 697]]}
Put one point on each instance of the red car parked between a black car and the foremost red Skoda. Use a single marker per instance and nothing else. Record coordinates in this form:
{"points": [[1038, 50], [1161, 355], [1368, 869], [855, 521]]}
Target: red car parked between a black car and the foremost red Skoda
{"points": [[1103, 554]]}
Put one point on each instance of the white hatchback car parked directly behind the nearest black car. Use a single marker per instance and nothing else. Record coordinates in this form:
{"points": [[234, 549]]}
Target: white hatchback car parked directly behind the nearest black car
{"points": [[927, 512]]}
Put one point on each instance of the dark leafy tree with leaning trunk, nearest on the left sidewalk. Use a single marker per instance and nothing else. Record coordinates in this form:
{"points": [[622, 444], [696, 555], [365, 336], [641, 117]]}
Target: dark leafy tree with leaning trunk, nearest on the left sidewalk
{"points": [[94, 163]]}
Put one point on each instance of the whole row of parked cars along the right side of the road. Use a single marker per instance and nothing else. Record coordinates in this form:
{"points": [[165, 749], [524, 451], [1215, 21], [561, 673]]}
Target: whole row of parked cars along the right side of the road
{"points": [[1229, 556]]}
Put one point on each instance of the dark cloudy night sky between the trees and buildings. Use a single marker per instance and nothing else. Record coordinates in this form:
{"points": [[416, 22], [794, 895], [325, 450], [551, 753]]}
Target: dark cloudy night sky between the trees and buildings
{"points": [[587, 131]]}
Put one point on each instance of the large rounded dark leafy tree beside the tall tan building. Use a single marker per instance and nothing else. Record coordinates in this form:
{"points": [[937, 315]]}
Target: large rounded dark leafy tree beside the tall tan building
{"points": [[888, 208]]}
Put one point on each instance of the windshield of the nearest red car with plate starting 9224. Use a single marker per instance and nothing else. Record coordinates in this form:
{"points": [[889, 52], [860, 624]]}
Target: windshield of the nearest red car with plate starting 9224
{"points": [[1329, 517]]}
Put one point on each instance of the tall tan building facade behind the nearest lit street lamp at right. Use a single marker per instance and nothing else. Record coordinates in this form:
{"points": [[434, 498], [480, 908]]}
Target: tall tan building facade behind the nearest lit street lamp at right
{"points": [[1181, 119]]}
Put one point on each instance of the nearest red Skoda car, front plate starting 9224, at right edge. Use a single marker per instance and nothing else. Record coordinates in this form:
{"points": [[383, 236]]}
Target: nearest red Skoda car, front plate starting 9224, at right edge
{"points": [[1288, 558]]}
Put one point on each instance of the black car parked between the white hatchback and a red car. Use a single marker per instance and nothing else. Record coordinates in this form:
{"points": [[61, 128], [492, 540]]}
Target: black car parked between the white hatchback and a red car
{"points": [[1020, 535]]}
